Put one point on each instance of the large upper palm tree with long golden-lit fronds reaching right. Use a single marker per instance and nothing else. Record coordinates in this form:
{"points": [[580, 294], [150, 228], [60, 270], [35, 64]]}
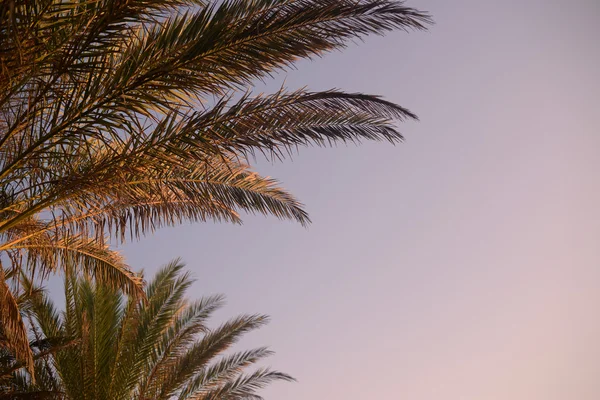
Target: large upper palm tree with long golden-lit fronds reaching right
{"points": [[118, 117]]}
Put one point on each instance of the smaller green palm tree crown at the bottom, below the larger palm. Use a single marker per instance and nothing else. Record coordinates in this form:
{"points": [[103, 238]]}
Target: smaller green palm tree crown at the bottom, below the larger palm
{"points": [[160, 348]]}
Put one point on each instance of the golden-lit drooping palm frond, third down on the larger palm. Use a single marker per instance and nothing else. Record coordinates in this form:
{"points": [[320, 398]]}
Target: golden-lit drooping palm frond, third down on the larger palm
{"points": [[141, 199]]}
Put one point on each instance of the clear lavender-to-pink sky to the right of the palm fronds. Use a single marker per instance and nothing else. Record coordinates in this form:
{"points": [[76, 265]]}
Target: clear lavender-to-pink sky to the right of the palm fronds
{"points": [[463, 264]]}
